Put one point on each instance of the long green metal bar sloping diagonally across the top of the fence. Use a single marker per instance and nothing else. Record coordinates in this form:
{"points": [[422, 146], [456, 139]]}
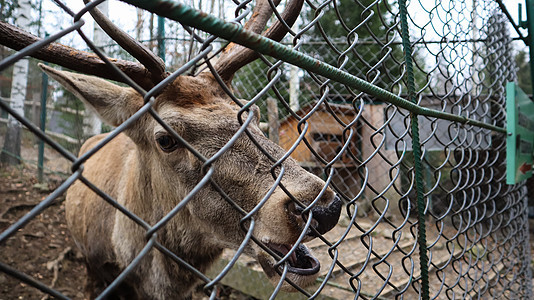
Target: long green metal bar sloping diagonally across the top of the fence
{"points": [[233, 32]]}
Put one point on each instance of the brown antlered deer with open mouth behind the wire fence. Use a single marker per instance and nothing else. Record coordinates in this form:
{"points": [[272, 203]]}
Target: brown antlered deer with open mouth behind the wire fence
{"points": [[149, 170]]}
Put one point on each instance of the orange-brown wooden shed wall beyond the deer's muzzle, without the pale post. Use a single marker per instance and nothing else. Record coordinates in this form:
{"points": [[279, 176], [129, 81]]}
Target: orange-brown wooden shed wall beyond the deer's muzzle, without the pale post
{"points": [[323, 128]]}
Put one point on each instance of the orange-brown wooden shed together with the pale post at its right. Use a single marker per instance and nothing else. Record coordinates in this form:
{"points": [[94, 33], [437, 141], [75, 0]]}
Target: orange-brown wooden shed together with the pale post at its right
{"points": [[325, 129]]}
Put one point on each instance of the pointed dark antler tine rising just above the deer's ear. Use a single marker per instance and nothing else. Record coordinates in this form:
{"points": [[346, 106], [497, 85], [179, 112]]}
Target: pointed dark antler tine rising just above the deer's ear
{"points": [[153, 63]]}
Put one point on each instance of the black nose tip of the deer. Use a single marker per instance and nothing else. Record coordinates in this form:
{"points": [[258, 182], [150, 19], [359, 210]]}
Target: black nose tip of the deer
{"points": [[324, 217]]}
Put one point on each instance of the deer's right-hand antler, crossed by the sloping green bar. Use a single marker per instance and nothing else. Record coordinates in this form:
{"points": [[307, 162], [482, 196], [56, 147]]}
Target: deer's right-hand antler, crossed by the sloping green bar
{"points": [[236, 56]]}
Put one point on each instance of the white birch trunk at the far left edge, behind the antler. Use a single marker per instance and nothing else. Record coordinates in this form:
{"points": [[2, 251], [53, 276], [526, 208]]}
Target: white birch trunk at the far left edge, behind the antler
{"points": [[11, 151]]}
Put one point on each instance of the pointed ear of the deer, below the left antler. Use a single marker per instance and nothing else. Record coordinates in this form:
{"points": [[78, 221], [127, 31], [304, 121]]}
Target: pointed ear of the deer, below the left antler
{"points": [[114, 104]]}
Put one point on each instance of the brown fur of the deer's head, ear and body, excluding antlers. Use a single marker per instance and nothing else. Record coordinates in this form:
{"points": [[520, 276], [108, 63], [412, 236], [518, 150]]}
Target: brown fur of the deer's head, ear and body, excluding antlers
{"points": [[150, 182]]}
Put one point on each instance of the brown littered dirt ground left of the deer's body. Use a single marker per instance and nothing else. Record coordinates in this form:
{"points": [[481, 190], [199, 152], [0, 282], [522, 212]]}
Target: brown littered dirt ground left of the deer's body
{"points": [[43, 248]]}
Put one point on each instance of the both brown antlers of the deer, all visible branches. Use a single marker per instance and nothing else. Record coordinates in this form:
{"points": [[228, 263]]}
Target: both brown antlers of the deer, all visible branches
{"points": [[151, 69]]}
